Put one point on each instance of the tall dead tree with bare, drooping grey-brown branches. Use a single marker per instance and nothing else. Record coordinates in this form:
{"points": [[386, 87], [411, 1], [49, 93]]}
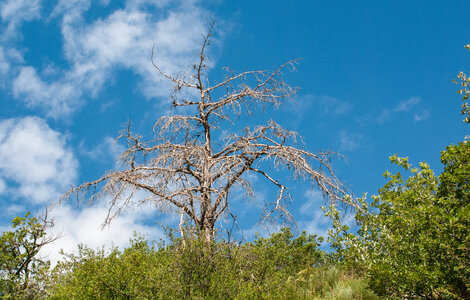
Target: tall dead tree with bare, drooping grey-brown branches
{"points": [[185, 168]]}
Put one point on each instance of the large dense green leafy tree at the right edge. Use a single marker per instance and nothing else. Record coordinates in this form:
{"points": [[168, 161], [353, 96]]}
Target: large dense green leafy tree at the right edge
{"points": [[412, 239]]}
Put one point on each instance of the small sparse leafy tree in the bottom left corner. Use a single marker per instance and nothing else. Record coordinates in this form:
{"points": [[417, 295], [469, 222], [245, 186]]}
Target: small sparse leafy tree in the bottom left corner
{"points": [[22, 274]]}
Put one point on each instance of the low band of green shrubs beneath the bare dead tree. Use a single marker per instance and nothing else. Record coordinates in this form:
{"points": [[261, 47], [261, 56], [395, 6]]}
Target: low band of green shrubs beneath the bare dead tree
{"points": [[279, 267]]}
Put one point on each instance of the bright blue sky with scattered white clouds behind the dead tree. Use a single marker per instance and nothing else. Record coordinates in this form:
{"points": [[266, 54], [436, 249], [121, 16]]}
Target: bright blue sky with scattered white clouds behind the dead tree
{"points": [[375, 79]]}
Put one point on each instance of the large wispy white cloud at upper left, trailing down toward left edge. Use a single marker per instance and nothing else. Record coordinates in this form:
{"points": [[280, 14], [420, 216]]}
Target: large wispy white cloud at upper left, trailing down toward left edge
{"points": [[122, 40]]}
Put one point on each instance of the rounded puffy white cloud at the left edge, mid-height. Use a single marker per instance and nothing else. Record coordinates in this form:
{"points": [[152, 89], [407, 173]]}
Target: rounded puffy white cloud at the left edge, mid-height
{"points": [[36, 158]]}
